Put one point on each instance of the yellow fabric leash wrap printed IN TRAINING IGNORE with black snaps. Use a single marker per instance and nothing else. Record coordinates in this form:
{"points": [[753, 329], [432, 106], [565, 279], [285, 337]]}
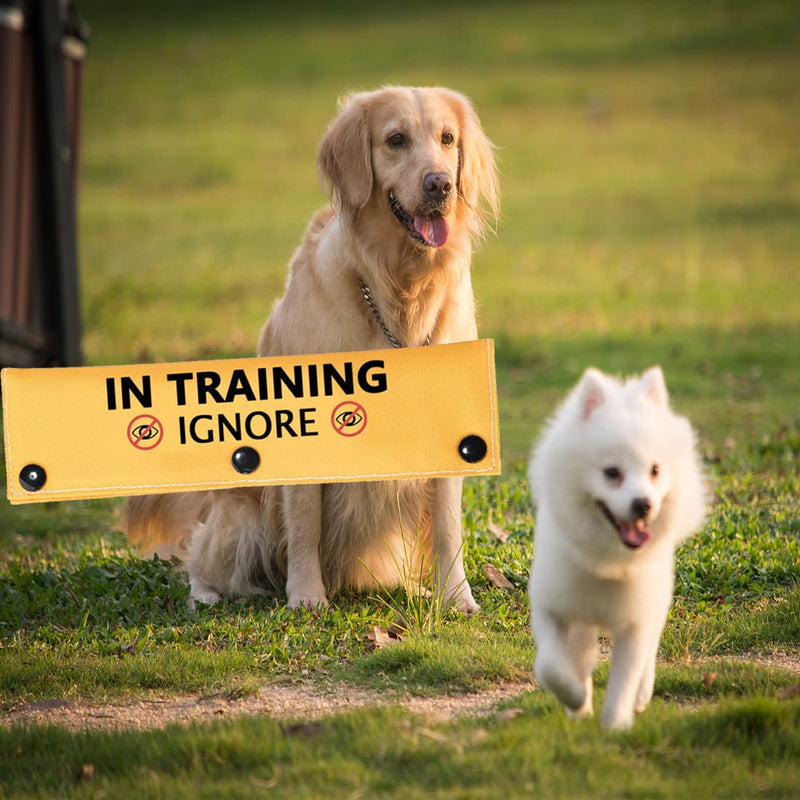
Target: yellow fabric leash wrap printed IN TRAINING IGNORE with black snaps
{"points": [[156, 428]]}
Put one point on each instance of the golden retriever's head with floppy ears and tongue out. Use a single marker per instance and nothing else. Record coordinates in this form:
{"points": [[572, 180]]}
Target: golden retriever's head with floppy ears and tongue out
{"points": [[417, 155]]}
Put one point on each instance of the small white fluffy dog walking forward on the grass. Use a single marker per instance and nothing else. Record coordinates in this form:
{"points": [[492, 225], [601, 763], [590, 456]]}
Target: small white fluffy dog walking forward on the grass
{"points": [[618, 484]]}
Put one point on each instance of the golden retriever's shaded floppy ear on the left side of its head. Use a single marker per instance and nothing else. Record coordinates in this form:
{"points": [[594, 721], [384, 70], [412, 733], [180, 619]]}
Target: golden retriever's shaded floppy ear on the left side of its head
{"points": [[344, 157]]}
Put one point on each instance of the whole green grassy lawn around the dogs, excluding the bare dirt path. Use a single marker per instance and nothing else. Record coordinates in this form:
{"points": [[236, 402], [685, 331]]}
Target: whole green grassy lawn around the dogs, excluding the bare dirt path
{"points": [[651, 198]]}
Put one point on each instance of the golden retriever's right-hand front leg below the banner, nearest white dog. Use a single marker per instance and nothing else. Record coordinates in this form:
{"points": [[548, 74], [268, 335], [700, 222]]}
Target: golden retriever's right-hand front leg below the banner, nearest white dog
{"points": [[447, 545]]}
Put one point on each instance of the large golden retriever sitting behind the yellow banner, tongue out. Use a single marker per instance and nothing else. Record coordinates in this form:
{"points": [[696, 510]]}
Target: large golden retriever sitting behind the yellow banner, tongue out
{"points": [[413, 182]]}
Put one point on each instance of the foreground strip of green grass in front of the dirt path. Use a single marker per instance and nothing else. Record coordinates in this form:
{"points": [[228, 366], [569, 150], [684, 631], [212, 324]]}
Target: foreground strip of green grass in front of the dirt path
{"points": [[676, 751]]}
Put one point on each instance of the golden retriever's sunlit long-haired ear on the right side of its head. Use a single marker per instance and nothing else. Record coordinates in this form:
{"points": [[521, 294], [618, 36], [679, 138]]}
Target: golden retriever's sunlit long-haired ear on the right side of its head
{"points": [[478, 182]]}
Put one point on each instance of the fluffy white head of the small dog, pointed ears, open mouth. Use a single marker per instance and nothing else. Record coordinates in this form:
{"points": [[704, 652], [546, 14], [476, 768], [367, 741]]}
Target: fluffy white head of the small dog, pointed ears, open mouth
{"points": [[617, 458]]}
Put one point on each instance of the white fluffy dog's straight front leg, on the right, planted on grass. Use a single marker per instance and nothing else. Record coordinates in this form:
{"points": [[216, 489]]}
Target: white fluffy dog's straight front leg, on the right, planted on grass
{"points": [[630, 660]]}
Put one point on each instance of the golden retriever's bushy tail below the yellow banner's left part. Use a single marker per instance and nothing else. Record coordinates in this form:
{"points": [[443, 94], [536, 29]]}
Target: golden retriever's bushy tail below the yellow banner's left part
{"points": [[161, 523]]}
